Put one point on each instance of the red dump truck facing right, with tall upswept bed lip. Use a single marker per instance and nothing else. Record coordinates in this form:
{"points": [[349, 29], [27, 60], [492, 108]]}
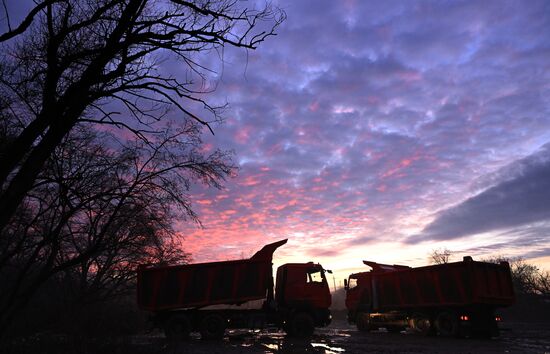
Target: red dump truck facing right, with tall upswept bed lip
{"points": [[210, 297]]}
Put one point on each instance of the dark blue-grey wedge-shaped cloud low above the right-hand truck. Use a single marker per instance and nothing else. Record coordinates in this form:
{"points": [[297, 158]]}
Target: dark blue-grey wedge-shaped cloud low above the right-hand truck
{"points": [[520, 200]]}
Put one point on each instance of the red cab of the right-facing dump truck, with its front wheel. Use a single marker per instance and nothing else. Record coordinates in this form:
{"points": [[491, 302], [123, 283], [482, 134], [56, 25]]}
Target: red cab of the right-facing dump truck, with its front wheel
{"points": [[303, 297]]}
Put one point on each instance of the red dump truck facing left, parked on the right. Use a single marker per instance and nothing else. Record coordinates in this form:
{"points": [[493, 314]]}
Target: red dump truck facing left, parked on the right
{"points": [[453, 299]]}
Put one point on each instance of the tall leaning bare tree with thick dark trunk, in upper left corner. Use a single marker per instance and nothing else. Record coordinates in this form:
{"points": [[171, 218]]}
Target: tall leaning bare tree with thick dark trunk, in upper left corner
{"points": [[97, 62]]}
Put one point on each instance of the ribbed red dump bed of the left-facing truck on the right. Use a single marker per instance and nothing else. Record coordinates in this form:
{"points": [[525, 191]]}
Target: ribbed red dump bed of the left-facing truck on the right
{"points": [[466, 283]]}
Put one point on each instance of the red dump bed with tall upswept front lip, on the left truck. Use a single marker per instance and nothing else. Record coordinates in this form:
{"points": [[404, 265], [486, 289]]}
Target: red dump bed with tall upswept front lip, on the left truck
{"points": [[204, 284]]}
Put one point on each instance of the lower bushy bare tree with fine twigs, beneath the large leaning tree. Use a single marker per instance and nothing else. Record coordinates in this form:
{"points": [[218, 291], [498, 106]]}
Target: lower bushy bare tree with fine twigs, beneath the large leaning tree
{"points": [[95, 213]]}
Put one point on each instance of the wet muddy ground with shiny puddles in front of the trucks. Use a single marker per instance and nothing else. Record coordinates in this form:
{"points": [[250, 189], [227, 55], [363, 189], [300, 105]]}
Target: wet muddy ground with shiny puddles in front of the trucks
{"points": [[342, 338]]}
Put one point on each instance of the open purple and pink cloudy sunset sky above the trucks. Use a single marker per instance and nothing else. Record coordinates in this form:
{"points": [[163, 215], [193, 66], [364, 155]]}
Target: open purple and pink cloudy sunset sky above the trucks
{"points": [[383, 130]]}
